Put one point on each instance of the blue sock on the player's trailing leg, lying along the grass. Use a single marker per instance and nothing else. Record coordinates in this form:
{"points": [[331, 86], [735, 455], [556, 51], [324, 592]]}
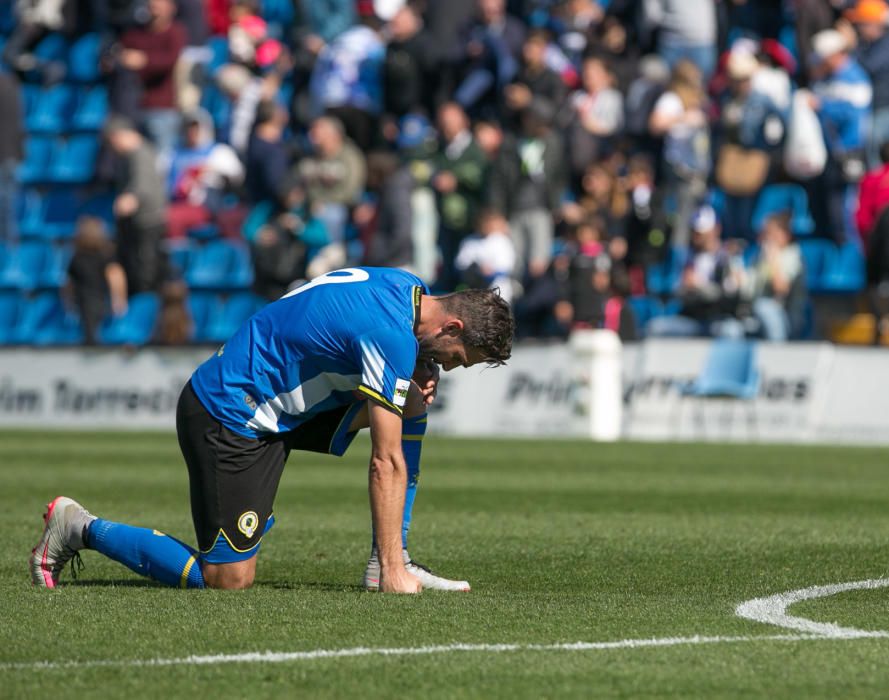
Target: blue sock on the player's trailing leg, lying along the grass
{"points": [[147, 552]]}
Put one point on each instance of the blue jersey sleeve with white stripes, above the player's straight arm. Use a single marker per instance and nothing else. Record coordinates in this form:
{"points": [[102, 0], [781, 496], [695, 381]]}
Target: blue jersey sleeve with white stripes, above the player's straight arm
{"points": [[388, 357]]}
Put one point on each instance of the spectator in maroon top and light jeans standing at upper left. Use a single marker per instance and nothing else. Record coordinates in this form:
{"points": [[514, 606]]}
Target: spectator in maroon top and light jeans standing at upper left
{"points": [[151, 53]]}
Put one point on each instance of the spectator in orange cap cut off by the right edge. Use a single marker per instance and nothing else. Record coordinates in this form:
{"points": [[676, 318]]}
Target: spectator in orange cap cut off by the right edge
{"points": [[869, 18]]}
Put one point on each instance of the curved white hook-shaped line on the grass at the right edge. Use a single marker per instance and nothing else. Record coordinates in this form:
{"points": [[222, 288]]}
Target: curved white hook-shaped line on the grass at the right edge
{"points": [[773, 609]]}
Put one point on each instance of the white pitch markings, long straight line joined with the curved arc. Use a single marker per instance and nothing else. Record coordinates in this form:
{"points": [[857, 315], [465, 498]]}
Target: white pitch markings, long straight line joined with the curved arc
{"points": [[770, 610]]}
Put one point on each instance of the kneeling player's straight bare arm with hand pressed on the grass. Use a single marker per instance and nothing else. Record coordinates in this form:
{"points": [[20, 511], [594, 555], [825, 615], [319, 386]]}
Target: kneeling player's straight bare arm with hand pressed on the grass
{"points": [[387, 479]]}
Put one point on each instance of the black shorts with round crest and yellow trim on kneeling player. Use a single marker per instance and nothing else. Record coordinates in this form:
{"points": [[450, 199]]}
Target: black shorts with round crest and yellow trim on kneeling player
{"points": [[233, 479]]}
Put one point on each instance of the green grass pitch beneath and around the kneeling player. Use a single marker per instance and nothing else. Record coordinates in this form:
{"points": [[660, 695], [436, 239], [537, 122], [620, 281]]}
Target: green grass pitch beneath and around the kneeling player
{"points": [[563, 542]]}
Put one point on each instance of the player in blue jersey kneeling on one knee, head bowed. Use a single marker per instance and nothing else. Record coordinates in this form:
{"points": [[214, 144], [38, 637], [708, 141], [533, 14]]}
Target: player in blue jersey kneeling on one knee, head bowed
{"points": [[354, 348]]}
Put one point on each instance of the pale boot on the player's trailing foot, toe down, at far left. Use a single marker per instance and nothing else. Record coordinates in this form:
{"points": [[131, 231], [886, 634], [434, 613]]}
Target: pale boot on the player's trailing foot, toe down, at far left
{"points": [[62, 538]]}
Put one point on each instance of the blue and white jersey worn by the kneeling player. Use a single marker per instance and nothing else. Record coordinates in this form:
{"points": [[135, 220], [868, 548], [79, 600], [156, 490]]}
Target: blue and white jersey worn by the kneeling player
{"points": [[349, 330]]}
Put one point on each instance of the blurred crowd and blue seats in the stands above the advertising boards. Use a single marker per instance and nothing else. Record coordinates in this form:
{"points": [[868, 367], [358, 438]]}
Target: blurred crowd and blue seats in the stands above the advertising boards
{"points": [[655, 167]]}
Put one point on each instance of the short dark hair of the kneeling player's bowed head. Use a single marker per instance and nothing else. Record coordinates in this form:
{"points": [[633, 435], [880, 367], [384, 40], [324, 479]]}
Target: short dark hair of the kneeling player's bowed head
{"points": [[488, 325]]}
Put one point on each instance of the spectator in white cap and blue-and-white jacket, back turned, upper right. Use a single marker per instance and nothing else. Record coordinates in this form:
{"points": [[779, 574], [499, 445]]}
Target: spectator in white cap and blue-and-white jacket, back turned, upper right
{"points": [[842, 96]]}
